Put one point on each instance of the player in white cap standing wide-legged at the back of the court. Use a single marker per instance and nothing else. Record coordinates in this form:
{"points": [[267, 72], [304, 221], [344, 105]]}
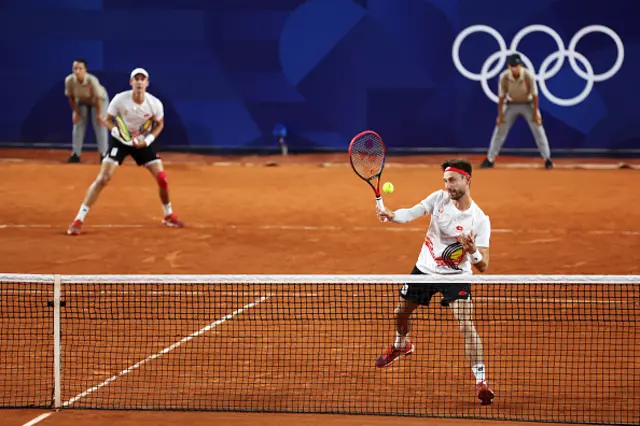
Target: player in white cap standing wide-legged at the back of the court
{"points": [[142, 115]]}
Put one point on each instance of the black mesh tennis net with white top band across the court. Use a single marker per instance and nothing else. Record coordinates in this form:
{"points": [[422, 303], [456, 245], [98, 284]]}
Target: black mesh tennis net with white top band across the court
{"points": [[556, 348]]}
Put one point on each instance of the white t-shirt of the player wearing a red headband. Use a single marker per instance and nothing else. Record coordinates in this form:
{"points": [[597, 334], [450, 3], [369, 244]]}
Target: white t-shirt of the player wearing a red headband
{"points": [[447, 223]]}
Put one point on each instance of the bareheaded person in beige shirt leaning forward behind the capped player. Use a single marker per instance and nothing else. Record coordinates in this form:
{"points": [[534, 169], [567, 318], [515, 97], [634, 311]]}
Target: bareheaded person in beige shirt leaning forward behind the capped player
{"points": [[85, 92]]}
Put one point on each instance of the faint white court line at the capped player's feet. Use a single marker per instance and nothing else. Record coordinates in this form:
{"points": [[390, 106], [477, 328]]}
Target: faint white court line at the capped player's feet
{"points": [[323, 228]]}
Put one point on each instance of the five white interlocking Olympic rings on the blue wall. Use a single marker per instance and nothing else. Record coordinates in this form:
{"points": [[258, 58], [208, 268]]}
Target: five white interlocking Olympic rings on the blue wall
{"points": [[546, 71]]}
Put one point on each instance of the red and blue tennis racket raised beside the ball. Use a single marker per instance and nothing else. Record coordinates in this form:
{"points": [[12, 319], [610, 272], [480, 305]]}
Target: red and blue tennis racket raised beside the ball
{"points": [[367, 155]]}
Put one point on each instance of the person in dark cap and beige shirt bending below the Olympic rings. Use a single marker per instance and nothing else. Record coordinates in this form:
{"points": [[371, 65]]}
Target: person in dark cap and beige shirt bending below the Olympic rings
{"points": [[517, 85]]}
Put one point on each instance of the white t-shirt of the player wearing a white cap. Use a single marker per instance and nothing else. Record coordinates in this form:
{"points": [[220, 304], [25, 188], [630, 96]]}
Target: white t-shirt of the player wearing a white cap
{"points": [[133, 114]]}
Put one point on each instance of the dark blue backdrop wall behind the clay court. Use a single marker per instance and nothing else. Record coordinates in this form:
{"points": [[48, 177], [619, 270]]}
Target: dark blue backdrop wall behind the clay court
{"points": [[229, 70]]}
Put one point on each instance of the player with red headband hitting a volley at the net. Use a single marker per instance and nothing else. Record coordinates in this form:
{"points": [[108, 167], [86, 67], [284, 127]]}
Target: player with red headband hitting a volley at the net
{"points": [[457, 238]]}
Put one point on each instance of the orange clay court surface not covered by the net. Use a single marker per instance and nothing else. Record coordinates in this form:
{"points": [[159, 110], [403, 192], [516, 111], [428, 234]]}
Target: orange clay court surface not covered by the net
{"points": [[304, 215]]}
